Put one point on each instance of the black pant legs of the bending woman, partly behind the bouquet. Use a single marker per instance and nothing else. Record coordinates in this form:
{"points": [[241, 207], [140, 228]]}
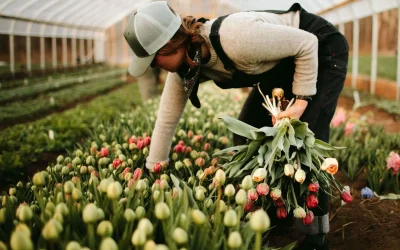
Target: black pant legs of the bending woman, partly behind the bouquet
{"points": [[332, 69]]}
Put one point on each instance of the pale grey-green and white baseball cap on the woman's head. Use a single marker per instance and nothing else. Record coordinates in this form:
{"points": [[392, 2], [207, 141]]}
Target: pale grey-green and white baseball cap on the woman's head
{"points": [[148, 30]]}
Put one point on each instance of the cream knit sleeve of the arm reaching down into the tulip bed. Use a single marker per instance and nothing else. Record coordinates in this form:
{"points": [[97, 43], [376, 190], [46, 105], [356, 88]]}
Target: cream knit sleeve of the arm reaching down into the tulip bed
{"points": [[172, 104]]}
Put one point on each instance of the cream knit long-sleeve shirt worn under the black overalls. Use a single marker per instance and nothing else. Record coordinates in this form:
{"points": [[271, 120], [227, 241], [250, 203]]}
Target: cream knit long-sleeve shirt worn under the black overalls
{"points": [[255, 42]]}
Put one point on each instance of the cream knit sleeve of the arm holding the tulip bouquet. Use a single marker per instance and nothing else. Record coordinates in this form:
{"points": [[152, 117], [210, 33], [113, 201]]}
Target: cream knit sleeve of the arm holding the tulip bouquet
{"points": [[252, 41]]}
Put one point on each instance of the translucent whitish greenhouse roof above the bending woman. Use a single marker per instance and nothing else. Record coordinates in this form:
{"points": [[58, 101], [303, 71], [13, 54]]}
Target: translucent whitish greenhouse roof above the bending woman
{"points": [[80, 18]]}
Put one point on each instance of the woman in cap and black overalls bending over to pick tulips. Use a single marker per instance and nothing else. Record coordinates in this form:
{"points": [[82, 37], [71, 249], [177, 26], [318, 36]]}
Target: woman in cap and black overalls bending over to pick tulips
{"points": [[294, 50]]}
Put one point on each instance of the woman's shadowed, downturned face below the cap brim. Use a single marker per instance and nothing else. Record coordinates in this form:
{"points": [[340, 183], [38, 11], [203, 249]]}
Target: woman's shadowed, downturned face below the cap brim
{"points": [[171, 62]]}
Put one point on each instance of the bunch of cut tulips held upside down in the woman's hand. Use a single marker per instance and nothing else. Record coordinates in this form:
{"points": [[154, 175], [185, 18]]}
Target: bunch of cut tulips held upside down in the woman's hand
{"points": [[286, 163]]}
